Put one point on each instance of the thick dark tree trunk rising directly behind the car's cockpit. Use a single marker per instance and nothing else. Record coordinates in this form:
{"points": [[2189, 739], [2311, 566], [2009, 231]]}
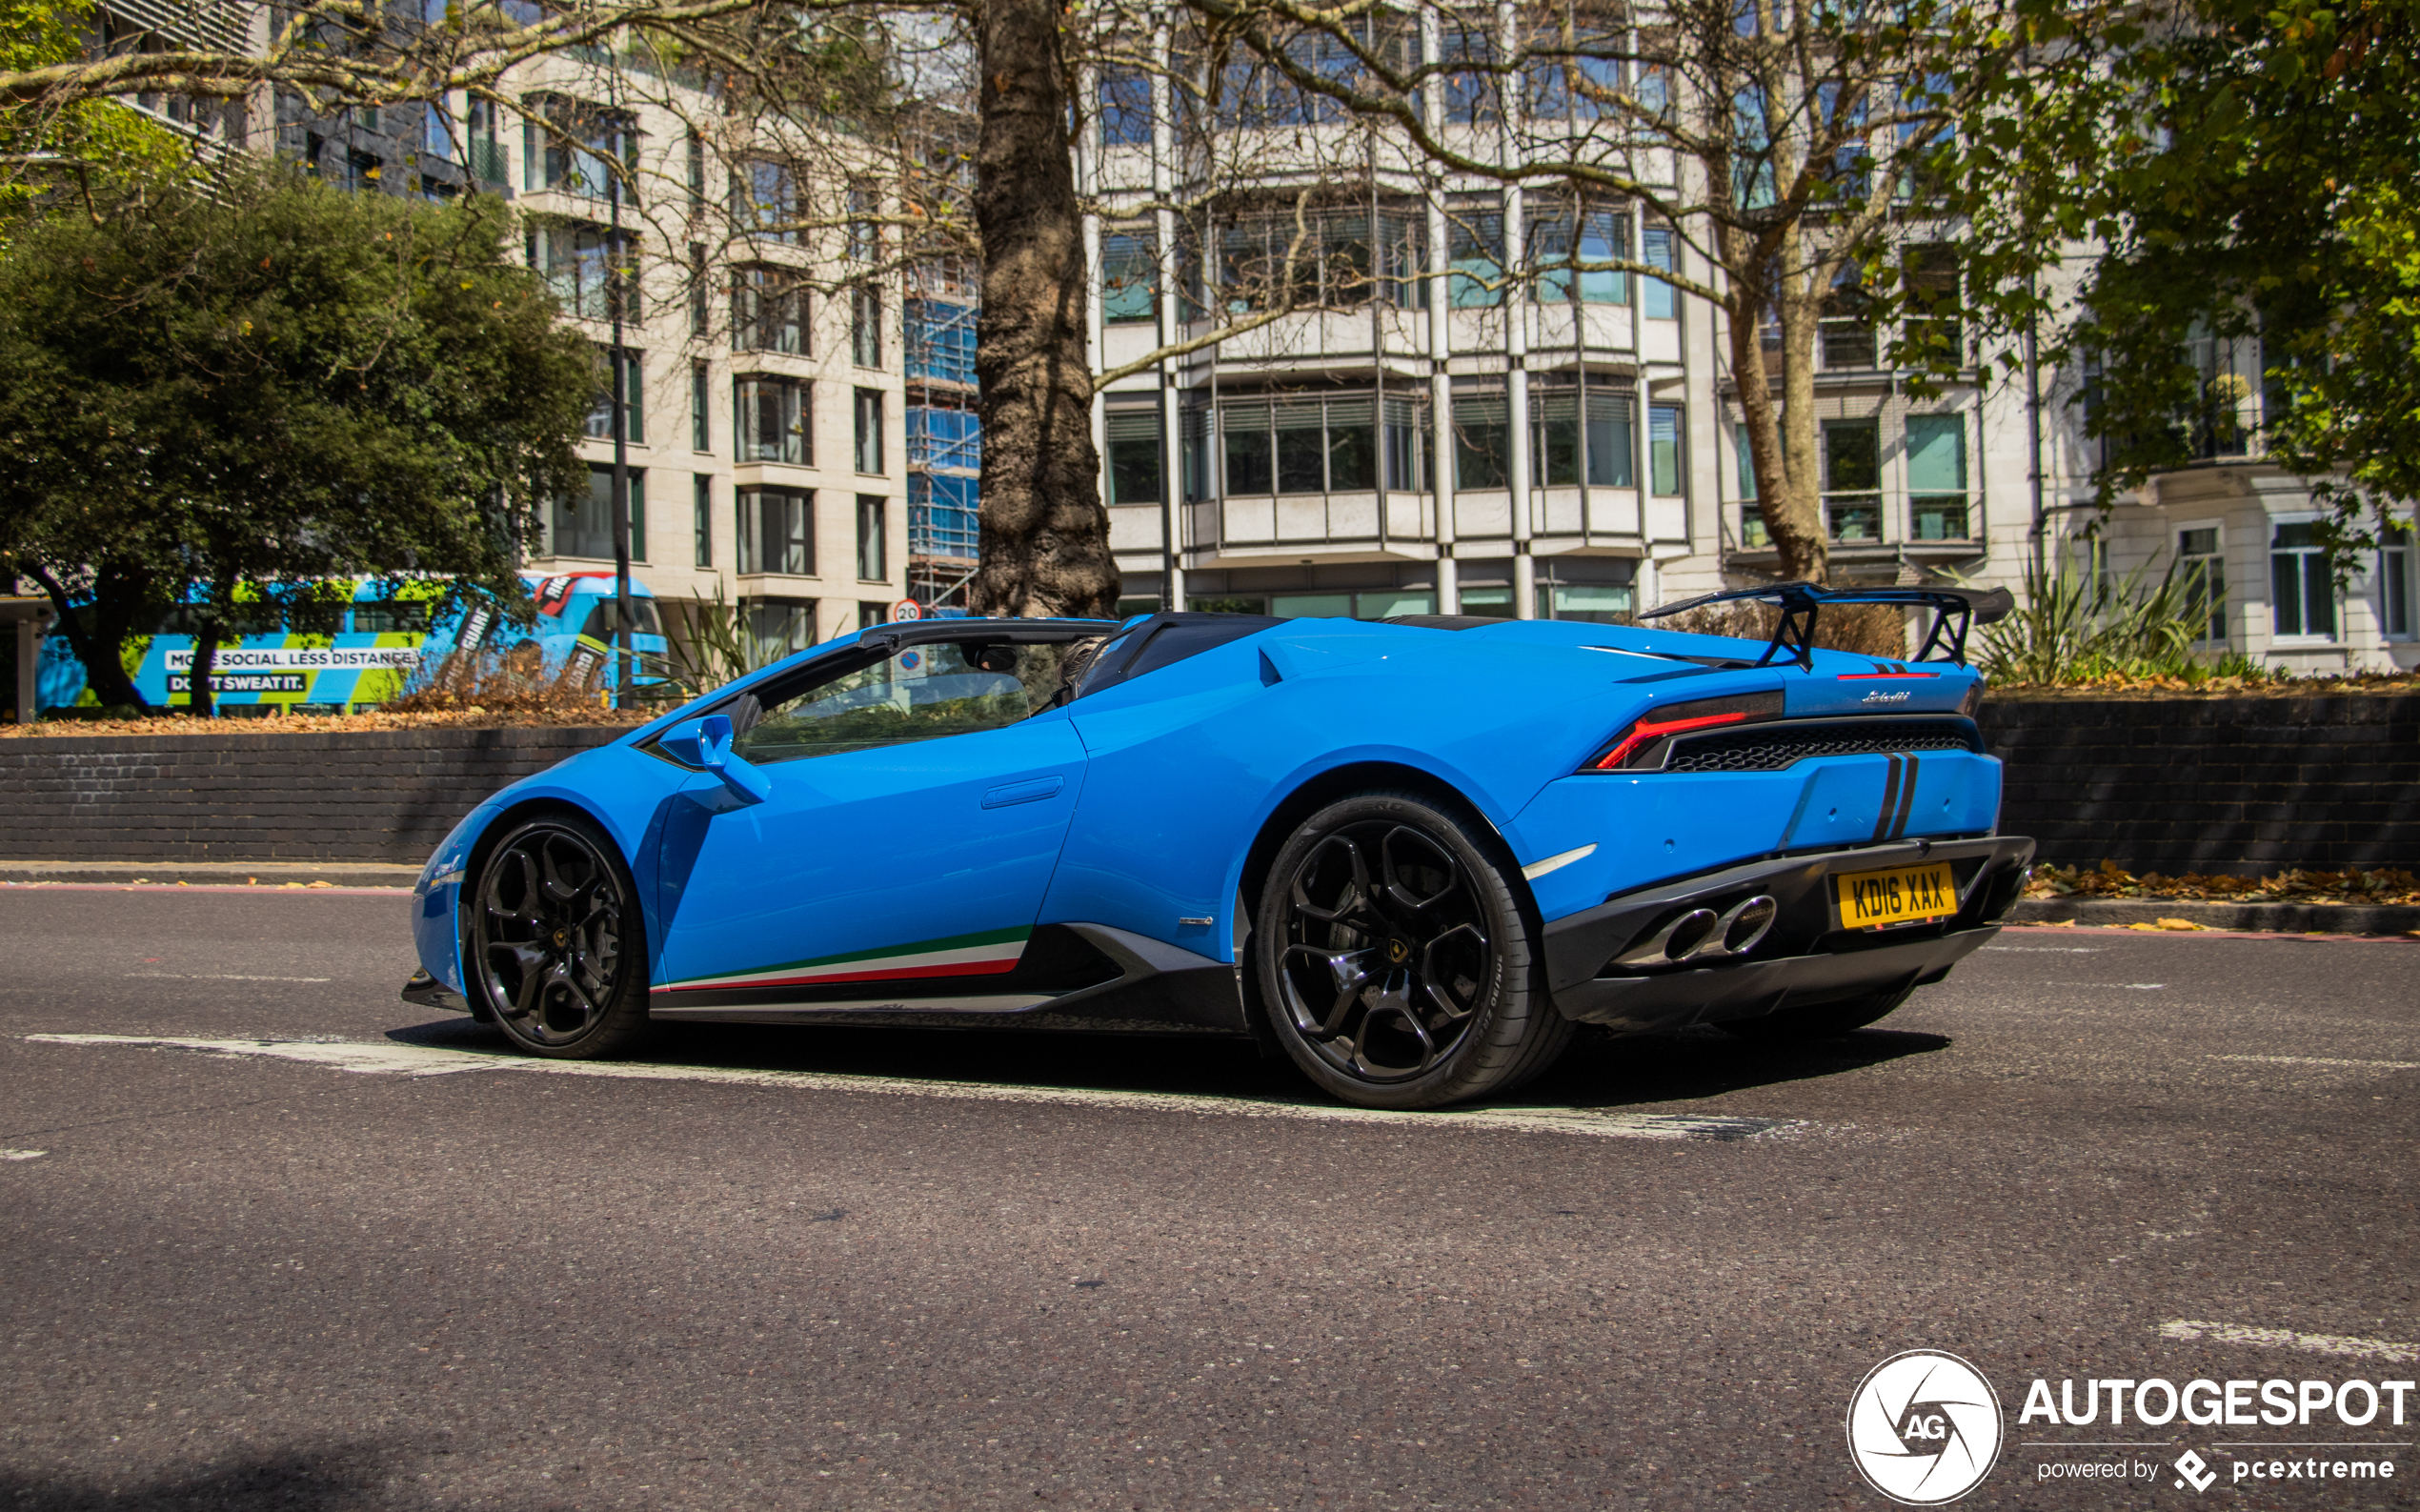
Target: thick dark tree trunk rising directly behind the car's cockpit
{"points": [[1044, 531]]}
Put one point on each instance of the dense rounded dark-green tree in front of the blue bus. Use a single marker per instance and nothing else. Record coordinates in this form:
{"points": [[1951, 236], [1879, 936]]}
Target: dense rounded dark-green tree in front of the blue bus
{"points": [[267, 386]]}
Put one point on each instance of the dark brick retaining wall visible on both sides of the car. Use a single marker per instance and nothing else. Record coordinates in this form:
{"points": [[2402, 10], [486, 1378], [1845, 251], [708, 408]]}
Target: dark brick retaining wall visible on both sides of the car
{"points": [[2203, 785]]}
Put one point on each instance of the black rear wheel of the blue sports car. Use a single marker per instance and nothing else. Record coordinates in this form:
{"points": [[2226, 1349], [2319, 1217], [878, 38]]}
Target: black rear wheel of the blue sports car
{"points": [[1398, 959]]}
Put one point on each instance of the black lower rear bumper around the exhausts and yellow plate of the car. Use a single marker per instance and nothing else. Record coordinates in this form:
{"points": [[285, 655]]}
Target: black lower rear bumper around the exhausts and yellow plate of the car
{"points": [[1807, 959]]}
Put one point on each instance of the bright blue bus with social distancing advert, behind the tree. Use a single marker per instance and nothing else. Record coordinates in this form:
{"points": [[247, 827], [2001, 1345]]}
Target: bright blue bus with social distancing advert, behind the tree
{"points": [[386, 637]]}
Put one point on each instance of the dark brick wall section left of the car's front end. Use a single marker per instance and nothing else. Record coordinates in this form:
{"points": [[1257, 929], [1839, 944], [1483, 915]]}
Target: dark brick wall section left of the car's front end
{"points": [[241, 797]]}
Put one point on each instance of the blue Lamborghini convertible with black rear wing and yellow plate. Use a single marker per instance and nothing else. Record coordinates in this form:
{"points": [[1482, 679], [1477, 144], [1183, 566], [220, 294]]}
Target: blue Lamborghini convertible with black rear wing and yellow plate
{"points": [[1412, 855]]}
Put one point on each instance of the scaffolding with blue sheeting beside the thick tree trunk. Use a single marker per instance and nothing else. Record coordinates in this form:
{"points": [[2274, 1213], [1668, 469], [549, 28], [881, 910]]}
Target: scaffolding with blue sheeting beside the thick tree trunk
{"points": [[945, 434]]}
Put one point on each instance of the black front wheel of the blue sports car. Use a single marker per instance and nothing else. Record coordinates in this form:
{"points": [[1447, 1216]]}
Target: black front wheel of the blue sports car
{"points": [[555, 942]]}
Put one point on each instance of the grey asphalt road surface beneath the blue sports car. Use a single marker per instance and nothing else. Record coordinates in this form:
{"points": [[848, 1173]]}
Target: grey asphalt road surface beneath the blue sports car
{"points": [[853, 1269]]}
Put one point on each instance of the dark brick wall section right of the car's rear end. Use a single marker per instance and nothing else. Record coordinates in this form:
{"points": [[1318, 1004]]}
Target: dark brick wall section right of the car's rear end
{"points": [[2213, 785]]}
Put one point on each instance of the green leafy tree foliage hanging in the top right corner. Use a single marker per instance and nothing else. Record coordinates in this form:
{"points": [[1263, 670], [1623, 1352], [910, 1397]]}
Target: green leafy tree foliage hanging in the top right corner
{"points": [[2259, 195]]}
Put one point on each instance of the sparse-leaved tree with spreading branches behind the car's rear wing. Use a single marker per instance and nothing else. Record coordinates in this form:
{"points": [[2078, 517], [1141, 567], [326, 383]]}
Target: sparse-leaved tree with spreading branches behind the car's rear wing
{"points": [[1823, 166]]}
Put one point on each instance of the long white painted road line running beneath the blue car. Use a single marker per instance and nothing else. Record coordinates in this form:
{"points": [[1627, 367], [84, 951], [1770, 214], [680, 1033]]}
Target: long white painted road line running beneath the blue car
{"points": [[430, 1061]]}
